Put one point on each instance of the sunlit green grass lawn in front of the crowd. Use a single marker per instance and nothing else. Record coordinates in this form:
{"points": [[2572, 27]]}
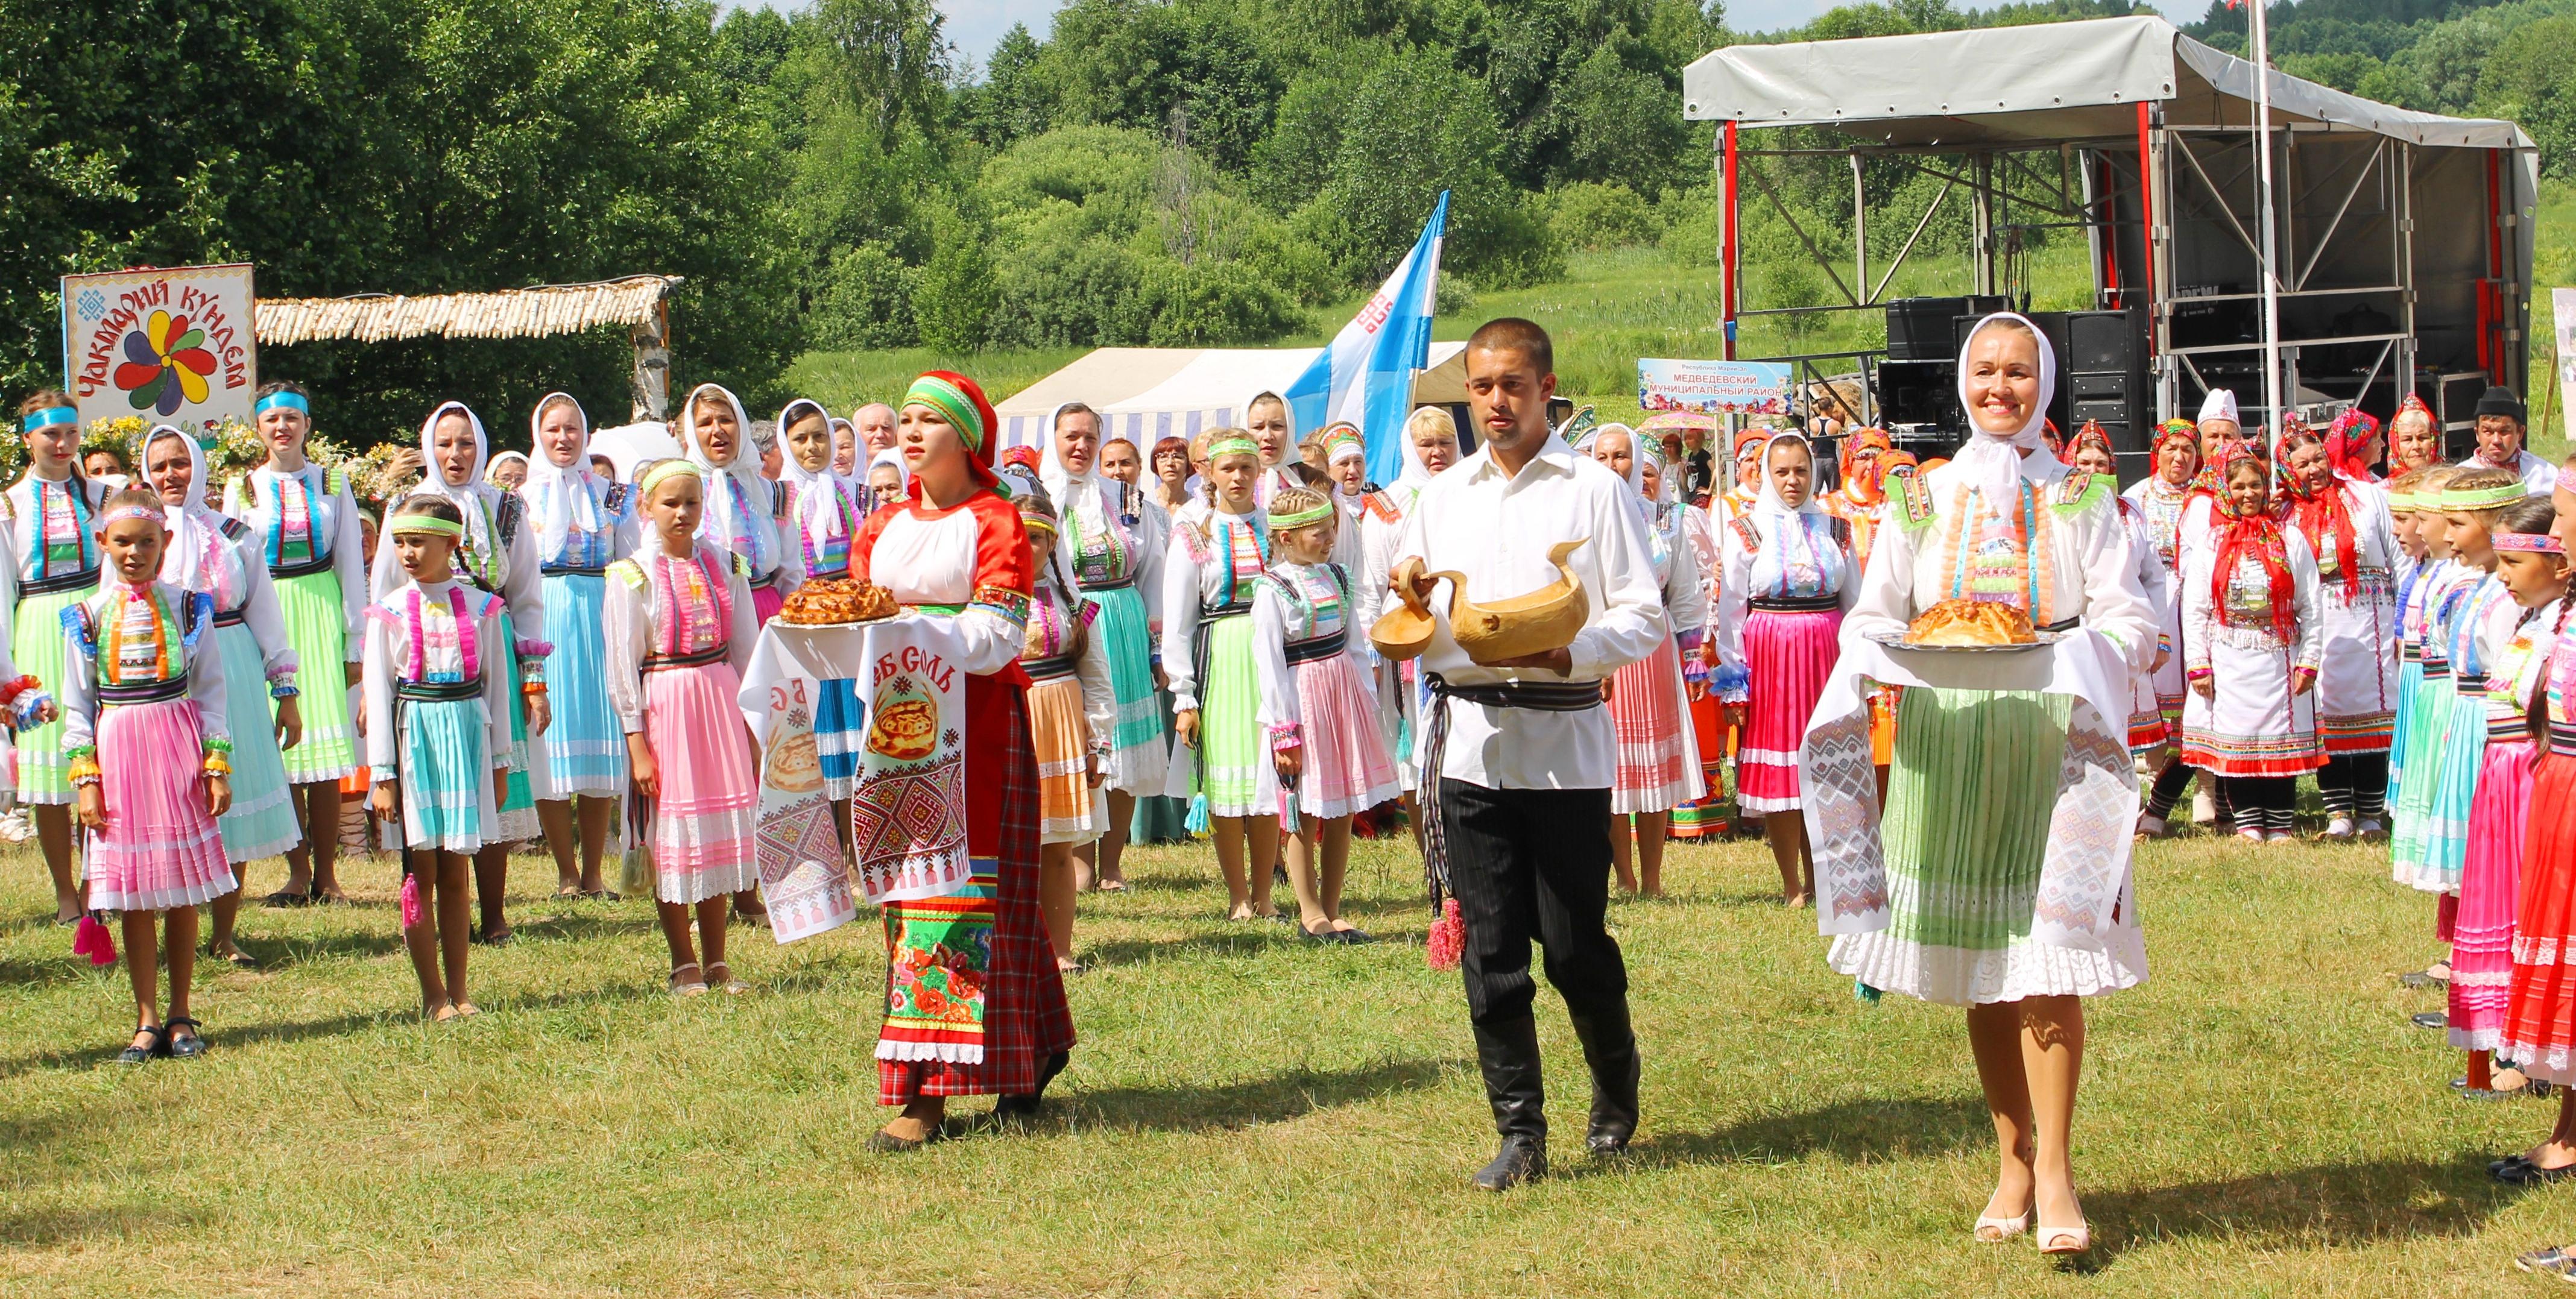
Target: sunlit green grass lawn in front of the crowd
{"points": [[1245, 1115]]}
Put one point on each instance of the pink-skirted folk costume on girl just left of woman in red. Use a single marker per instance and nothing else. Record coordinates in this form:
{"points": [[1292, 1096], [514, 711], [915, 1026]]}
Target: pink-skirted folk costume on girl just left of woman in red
{"points": [[679, 638]]}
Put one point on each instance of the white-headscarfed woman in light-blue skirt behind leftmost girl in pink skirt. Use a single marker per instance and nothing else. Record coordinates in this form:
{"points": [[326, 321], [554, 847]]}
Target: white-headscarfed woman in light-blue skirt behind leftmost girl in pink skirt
{"points": [[223, 558]]}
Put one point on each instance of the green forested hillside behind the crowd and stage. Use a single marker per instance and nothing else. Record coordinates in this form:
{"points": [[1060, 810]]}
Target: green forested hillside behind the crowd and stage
{"points": [[836, 177]]}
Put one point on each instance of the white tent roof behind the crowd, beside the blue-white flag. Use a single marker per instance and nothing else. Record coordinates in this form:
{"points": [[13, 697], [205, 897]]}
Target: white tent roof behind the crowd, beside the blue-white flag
{"points": [[1176, 393]]}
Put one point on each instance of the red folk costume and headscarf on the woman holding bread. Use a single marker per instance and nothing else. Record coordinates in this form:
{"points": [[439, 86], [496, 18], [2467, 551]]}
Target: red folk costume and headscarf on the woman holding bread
{"points": [[975, 1001]]}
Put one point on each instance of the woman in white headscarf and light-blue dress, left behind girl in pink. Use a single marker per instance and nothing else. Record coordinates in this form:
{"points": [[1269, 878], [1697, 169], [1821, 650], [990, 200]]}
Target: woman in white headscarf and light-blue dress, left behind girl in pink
{"points": [[583, 522]]}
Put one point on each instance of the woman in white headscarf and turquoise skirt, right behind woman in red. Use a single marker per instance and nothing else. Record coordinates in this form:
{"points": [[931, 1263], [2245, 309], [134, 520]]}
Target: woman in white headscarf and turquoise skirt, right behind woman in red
{"points": [[1114, 555]]}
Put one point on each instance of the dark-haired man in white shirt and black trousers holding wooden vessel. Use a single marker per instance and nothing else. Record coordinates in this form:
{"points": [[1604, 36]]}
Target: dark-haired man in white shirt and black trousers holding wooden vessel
{"points": [[1521, 756]]}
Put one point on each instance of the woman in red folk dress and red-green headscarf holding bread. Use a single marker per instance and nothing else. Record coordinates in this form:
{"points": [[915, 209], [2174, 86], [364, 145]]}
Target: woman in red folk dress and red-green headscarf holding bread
{"points": [[957, 545]]}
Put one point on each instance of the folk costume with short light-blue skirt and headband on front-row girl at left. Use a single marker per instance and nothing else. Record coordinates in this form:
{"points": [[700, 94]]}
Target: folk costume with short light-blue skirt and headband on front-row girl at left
{"points": [[439, 705]]}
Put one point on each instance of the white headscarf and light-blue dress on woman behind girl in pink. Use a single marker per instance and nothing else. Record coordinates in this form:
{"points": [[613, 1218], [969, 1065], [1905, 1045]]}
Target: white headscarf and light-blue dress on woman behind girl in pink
{"points": [[583, 524]]}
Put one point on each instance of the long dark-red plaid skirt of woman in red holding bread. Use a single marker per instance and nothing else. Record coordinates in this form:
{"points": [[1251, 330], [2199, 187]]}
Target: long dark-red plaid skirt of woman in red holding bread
{"points": [[1027, 1017]]}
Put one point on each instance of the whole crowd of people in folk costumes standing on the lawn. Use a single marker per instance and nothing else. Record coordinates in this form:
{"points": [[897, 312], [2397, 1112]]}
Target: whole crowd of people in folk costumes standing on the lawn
{"points": [[1173, 640]]}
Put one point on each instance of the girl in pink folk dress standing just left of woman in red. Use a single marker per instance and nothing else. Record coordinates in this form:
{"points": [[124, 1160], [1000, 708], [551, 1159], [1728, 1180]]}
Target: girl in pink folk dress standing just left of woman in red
{"points": [[679, 628]]}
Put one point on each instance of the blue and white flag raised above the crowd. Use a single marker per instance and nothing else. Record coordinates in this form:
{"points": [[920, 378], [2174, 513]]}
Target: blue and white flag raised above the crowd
{"points": [[1367, 375]]}
